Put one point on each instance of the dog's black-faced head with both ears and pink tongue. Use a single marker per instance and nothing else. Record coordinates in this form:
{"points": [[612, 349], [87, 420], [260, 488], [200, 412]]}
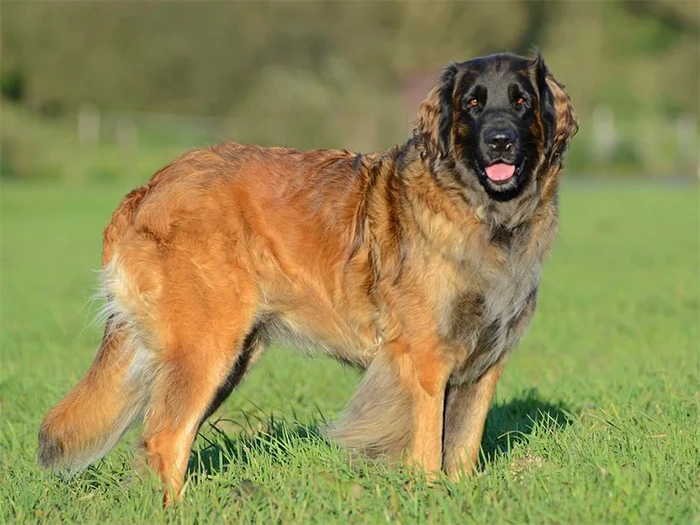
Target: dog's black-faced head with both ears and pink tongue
{"points": [[499, 119]]}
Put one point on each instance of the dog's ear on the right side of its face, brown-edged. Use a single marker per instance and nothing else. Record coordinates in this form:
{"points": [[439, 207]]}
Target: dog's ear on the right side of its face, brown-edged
{"points": [[558, 116]]}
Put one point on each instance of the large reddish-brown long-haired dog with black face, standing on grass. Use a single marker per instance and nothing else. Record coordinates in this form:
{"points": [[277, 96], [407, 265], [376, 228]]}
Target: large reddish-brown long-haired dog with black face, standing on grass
{"points": [[419, 264]]}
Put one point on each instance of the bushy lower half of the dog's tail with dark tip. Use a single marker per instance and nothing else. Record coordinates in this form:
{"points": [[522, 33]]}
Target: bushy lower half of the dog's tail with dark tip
{"points": [[91, 418]]}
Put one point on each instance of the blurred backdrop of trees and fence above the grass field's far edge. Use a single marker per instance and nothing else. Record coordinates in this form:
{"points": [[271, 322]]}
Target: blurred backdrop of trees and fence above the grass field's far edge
{"points": [[96, 90]]}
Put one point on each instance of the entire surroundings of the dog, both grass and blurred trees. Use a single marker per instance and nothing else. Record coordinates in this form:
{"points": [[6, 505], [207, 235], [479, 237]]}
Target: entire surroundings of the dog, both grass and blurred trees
{"points": [[597, 417]]}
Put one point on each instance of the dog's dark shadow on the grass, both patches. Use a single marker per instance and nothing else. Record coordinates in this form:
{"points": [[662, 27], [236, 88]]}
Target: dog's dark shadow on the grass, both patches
{"points": [[509, 424]]}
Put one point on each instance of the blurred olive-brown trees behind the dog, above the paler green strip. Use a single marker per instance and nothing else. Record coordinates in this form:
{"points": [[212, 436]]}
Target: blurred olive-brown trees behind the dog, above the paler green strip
{"points": [[280, 69]]}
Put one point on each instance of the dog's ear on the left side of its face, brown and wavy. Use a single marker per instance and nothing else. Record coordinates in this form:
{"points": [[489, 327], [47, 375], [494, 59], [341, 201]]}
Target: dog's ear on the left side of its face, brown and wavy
{"points": [[436, 115]]}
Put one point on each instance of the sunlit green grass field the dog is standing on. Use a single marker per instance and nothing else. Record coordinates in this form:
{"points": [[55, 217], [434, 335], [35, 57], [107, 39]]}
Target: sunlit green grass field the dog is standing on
{"points": [[596, 419]]}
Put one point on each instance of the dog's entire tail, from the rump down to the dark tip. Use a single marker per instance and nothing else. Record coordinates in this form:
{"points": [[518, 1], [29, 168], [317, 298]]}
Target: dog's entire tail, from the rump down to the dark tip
{"points": [[91, 418]]}
